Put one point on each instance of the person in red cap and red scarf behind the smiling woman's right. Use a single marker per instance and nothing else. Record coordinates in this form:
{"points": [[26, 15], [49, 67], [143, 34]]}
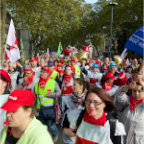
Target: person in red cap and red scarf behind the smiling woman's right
{"points": [[107, 84]]}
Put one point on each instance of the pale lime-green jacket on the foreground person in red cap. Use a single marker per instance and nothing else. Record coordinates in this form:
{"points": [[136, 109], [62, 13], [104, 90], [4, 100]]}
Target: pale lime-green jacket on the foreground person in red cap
{"points": [[35, 133]]}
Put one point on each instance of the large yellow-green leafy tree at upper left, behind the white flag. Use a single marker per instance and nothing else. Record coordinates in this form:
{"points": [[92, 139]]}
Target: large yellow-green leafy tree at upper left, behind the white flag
{"points": [[46, 18]]}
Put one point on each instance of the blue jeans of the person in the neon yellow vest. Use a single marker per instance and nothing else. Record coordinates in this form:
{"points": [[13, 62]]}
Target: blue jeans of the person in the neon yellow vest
{"points": [[51, 126]]}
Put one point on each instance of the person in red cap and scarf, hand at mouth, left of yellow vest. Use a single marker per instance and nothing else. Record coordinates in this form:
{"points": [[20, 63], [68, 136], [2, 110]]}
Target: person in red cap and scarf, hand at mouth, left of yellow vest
{"points": [[29, 81]]}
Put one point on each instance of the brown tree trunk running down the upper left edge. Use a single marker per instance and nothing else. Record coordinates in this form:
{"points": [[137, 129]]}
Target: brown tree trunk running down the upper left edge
{"points": [[2, 28]]}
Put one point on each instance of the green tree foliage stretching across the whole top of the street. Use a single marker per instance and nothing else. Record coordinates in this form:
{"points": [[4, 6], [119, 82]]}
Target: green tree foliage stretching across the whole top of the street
{"points": [[51, 21]]}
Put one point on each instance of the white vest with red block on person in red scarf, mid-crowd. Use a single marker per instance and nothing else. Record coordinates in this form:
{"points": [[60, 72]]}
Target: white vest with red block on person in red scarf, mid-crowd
{"points": [[67, 89]]}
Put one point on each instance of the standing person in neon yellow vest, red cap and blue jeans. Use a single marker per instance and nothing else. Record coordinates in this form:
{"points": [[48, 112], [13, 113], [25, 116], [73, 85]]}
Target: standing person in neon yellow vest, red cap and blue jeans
{"points": [[46, 91]]}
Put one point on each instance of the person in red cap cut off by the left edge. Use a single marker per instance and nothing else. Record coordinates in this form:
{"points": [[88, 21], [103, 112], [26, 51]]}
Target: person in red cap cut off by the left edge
{"points": [[5, 81]]}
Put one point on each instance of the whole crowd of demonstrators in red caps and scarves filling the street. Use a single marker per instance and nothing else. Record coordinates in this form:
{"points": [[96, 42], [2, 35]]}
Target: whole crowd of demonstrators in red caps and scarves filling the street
{"points": [[98, 101]]}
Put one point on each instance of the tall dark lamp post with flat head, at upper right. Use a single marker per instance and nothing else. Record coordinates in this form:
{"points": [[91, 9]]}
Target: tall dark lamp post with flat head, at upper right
{"points": [[111, 4]]}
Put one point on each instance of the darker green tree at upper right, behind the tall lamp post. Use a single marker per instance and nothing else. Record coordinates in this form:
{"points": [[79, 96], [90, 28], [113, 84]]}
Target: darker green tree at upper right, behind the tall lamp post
{"points": [[127, 18]]}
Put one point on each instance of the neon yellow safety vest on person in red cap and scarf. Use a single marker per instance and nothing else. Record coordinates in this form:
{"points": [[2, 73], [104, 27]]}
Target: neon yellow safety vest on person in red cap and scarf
{"points": [[42, 99]]}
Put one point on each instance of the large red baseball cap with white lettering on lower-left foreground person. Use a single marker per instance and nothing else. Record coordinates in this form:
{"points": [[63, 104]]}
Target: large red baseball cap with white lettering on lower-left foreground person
{"points": [[18, 98]]}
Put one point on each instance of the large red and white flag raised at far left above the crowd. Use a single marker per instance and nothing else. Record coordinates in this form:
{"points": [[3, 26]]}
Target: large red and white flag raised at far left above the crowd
{"points": [[14, 53]]}
